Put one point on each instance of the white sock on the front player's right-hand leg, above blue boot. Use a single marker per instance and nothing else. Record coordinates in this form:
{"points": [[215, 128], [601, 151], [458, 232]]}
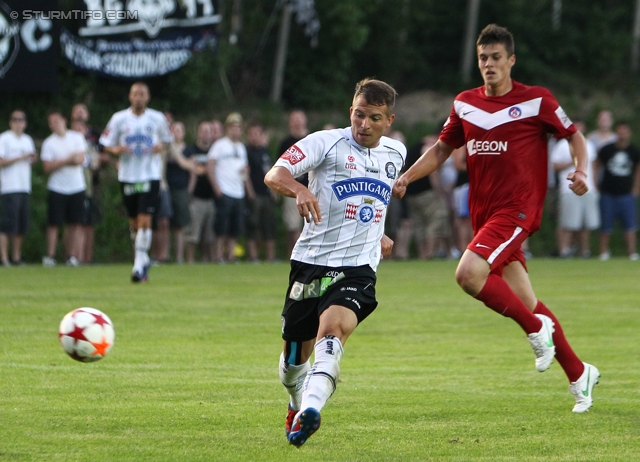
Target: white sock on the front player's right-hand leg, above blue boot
{"points": [[323, 376]]}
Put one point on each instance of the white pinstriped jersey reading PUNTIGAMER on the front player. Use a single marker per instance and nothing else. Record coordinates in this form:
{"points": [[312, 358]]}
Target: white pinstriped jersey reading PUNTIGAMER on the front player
{"points": [[353, 186]]}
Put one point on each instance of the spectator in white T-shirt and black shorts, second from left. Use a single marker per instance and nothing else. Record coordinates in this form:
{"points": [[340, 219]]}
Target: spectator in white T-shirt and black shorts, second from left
{"points": [[63, 154]]}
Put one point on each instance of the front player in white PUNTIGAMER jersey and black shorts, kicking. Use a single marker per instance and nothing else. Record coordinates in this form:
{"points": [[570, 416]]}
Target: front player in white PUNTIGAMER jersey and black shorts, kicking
{"points": [[332, 280]]}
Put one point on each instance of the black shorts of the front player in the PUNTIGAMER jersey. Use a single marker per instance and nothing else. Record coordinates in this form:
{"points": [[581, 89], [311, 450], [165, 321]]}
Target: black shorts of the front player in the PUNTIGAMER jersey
{"points": [[312, 289]]}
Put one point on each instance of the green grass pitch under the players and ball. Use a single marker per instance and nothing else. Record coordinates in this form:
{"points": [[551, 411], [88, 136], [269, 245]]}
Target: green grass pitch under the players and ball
{"points": [[432, 375]]}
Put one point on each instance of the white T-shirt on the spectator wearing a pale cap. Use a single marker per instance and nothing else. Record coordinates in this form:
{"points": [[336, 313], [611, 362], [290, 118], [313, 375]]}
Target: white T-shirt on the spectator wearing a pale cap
{"points": [[231, 164]]}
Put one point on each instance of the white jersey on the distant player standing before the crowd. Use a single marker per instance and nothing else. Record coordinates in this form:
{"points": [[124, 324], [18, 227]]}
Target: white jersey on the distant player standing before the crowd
{"points": [[140, 134]]}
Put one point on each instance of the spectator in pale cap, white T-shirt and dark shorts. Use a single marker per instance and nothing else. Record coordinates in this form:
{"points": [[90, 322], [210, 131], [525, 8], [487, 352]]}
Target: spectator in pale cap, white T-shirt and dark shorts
{"points": [[228, 171]]}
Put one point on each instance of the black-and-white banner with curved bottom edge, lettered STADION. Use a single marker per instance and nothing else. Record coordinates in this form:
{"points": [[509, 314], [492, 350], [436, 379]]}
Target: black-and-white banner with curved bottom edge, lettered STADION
{"points": [[136, 39]]}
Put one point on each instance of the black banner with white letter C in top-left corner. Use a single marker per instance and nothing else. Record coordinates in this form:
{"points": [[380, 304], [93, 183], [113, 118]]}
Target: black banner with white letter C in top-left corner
{"points": [[28, 46]]}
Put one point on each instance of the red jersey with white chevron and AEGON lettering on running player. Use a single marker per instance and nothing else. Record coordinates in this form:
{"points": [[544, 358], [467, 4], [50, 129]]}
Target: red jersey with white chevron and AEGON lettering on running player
{"points": [[506, 140]]}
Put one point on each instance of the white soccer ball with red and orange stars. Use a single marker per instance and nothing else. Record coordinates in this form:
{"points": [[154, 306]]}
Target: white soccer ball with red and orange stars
{"points": [[86, 334]]}
